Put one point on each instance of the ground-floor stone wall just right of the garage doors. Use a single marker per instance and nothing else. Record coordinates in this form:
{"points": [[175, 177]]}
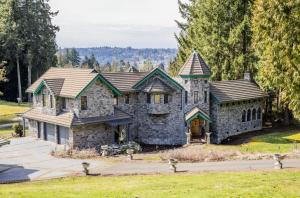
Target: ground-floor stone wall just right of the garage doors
{"points": [[91, 136]]}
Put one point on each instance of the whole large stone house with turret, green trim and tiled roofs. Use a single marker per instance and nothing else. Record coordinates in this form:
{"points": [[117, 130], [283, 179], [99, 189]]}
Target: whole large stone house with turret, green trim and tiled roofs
{"points": [[84, 108]]}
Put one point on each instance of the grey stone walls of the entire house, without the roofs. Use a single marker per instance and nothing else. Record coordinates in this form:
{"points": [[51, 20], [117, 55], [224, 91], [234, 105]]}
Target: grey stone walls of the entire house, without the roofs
{"points": [[158, 117]]}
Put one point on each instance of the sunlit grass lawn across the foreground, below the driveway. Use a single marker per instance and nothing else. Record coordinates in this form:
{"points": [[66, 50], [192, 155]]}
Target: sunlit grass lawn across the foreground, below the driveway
{"points": [[224, 184]]}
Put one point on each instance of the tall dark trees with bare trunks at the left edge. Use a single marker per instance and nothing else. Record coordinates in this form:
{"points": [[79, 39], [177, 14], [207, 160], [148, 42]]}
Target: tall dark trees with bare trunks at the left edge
{"points": [[27, 43]]}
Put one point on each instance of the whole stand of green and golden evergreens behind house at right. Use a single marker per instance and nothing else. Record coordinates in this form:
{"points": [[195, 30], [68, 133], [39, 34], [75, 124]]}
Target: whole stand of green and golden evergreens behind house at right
{"points": [[246, 35]]}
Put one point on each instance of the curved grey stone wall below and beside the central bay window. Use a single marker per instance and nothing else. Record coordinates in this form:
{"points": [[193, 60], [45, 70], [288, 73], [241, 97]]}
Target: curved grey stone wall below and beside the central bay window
{"points": [[167, 129]]}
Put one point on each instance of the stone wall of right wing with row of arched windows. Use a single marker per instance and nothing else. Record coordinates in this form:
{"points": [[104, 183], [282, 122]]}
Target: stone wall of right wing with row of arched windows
{"points": [[227, 119]]}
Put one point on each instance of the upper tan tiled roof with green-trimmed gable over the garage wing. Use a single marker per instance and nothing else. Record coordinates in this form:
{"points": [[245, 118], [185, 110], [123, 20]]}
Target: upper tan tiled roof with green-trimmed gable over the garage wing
{"points": [[74, 83]]}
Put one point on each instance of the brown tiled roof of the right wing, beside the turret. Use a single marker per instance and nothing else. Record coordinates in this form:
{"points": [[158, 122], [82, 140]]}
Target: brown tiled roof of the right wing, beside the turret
{"points": [[235, 90]]}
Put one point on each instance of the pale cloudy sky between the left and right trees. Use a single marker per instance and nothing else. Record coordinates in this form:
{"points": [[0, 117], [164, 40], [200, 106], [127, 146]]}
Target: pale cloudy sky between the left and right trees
{"points": [[121, 23]]}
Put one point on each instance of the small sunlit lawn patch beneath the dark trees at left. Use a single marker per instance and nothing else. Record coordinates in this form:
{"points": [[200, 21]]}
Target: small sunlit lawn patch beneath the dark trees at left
{"points": [[8, 111]]}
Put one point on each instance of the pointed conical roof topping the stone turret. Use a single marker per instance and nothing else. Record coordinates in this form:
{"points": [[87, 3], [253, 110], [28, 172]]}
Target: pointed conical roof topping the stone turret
{"points": [[194, 67]]}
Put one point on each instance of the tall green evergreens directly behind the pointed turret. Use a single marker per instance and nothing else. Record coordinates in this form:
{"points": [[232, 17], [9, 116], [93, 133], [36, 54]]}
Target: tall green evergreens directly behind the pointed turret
{"points": [[221, 32]]}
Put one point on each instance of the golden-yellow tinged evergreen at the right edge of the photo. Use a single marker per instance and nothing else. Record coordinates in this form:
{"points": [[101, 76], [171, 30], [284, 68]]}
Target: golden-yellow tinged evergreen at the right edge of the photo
{"points": [[276, 36]]}
